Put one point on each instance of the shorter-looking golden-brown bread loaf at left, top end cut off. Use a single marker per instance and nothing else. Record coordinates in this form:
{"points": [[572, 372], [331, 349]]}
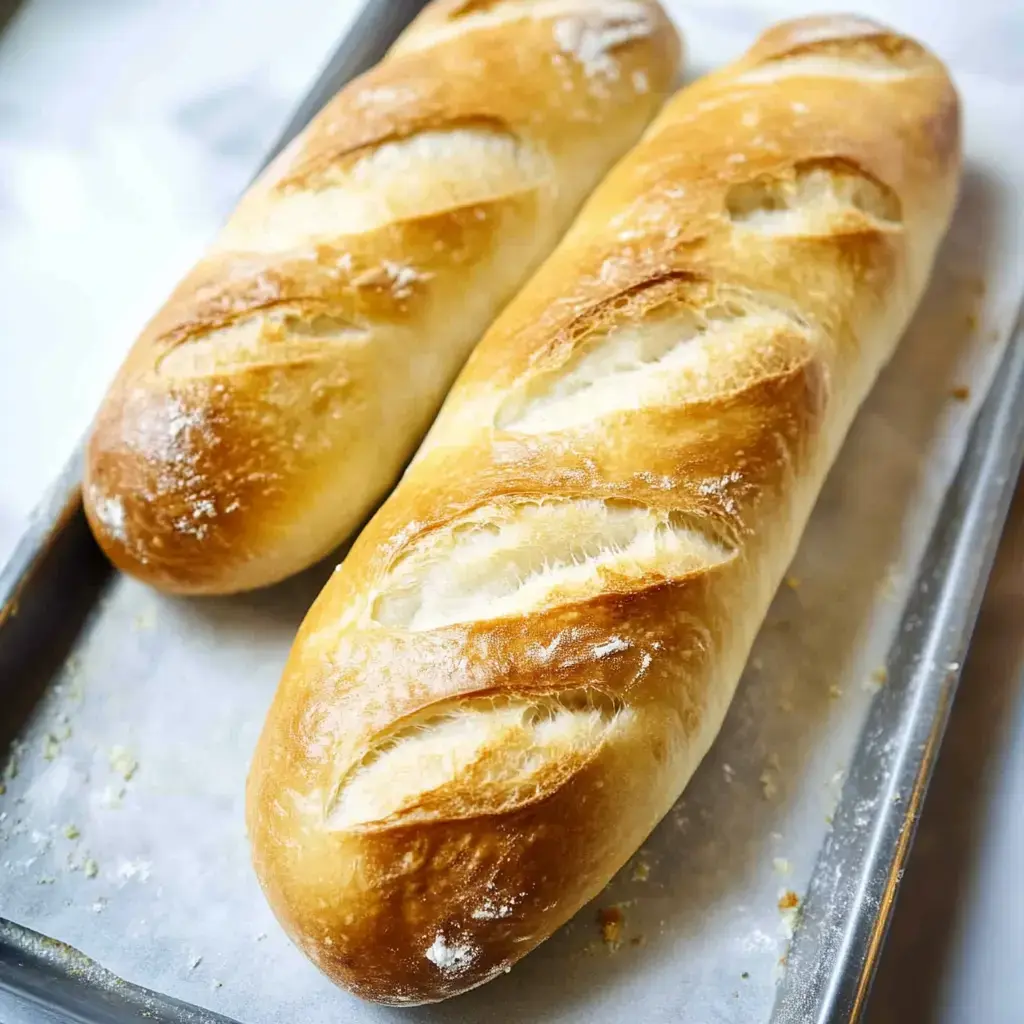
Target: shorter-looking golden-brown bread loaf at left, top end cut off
{"points": [[275, 399]]}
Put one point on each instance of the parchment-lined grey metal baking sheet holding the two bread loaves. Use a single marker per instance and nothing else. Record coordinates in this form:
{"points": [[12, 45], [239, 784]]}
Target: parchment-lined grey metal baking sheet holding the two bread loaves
{"points": [[132, 718]]}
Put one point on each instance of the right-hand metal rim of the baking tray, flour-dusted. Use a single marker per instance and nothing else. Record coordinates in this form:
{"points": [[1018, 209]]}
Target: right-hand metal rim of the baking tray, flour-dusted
{"points": [[836, 950]]}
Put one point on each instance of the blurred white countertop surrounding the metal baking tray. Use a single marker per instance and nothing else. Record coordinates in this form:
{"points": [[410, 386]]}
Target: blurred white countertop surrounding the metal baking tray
{"points": [[129, 127]]}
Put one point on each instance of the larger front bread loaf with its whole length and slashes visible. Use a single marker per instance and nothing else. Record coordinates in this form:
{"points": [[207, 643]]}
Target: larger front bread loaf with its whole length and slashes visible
{"points": [[531, 648]]}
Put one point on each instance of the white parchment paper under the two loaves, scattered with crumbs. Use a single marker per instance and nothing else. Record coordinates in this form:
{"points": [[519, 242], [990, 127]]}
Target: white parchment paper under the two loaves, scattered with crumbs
{"points": [[122, 833]]}
